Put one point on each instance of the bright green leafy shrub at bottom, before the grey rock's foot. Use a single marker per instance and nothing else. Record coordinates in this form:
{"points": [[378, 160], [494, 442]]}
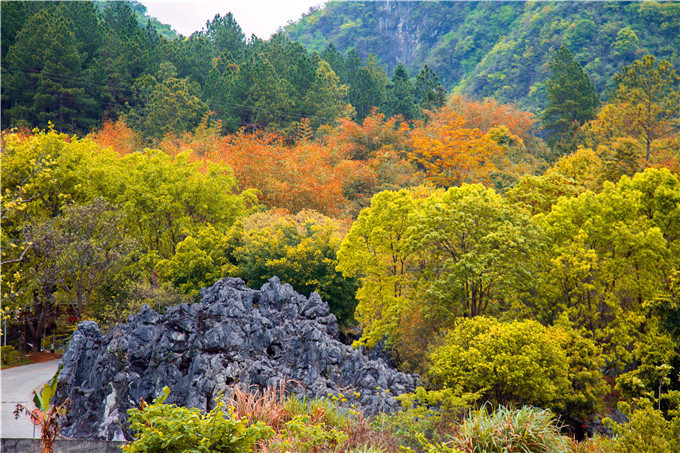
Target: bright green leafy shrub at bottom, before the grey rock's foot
{"points": [[168, 428]]}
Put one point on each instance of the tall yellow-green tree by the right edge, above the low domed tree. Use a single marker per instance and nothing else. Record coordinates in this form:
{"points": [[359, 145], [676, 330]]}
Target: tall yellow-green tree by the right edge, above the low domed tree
{"points": [[607, 261]]}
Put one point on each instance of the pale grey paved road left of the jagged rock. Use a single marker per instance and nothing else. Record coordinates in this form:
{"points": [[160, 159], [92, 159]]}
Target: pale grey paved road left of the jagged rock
{"points": [[17, 386]]}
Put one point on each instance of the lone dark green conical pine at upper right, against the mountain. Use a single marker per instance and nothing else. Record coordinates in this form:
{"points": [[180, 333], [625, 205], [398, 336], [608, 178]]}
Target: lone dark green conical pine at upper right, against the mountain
{"points": [[572, 101]]}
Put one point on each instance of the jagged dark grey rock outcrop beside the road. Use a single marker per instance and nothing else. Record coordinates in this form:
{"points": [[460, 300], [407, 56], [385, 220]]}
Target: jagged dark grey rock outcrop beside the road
{"points": [[235, 335]]}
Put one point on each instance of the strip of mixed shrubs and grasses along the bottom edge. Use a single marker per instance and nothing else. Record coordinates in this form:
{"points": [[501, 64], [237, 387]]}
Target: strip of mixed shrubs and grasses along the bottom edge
{"points": [[275, 421]]}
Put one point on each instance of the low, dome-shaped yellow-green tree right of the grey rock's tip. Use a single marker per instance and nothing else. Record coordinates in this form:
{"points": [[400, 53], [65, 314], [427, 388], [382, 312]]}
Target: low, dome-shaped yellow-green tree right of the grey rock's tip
{"points": [[517, 362]]}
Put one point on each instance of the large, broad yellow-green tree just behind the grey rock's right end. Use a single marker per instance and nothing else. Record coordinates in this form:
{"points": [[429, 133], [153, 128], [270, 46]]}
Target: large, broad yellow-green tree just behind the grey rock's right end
{"points": [[457, 253]]}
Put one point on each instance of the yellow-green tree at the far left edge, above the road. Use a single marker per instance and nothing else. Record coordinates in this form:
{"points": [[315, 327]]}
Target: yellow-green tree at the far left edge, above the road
{"points": [[41, 175]]}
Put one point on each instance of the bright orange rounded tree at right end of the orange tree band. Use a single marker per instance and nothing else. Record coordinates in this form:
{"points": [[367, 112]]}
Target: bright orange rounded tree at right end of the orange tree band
{"points": [[451, 154]]}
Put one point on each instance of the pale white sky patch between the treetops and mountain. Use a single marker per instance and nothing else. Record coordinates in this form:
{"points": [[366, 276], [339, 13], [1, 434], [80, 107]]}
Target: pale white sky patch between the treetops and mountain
{"points": [[260, 17]]}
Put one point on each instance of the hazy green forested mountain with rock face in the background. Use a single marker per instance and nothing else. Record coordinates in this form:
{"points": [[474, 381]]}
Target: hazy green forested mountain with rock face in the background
{"points": [[497, 49]]}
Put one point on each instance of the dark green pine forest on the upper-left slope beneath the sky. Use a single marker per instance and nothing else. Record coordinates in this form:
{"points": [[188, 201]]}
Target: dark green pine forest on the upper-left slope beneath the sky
{"points": [[98, 62]]}
